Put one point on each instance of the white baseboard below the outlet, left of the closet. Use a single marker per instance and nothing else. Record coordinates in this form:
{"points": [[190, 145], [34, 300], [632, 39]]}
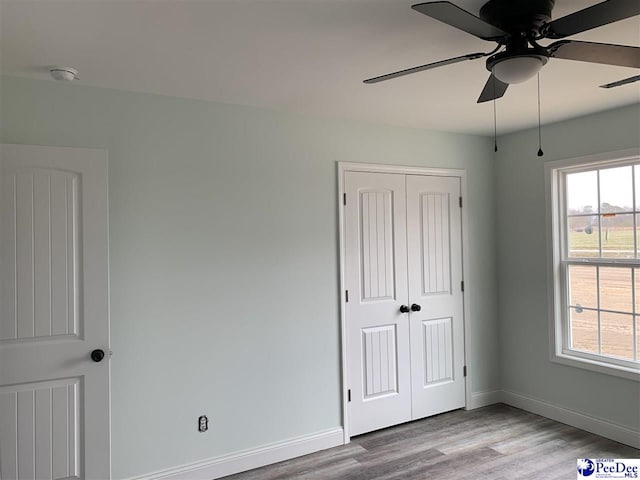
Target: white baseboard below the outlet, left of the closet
{"points": [[253, 458]]}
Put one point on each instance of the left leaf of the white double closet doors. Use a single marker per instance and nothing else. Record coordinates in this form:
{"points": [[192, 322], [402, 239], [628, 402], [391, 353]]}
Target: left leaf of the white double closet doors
{"points": [[376, 276]]}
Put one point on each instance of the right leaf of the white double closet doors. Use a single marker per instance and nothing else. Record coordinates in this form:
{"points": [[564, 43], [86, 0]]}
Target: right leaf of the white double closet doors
{"points": [[434, 240]]}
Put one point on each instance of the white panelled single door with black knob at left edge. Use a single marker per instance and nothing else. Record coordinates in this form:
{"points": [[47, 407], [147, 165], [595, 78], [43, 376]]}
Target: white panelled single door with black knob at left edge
{"points": [[54, 399]]}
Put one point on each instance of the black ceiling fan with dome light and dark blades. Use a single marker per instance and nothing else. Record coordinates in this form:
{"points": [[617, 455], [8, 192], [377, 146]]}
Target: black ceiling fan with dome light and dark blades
{"points": [[517, 27]]}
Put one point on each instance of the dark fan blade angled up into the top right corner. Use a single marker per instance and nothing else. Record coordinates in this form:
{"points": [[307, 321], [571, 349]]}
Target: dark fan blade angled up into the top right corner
{"points": [[595, 16]]}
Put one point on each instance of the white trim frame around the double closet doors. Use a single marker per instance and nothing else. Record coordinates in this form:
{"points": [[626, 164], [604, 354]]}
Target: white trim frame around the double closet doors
{"points": [[382, 168]]}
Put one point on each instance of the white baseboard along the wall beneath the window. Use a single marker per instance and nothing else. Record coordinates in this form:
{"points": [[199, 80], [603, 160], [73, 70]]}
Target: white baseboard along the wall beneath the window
{"points": [[601, 427]]}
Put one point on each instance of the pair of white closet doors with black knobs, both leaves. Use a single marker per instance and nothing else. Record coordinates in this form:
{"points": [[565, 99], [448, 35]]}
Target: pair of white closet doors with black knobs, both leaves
{"points": [[404, 315]]}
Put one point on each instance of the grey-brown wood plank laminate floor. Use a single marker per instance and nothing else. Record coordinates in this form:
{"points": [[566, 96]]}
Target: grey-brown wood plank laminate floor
{"points": [[492, 443]]}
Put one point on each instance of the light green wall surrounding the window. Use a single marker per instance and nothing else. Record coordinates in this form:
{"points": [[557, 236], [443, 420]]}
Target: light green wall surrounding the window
{"points": [[522, 273]]}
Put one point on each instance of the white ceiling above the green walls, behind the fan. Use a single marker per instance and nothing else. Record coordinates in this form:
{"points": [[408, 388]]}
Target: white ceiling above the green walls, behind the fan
{"points": [[306, 56]]}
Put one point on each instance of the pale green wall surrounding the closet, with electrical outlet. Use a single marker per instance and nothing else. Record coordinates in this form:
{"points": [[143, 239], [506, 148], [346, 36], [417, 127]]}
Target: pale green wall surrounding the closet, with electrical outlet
{"points": [[224, 260]]}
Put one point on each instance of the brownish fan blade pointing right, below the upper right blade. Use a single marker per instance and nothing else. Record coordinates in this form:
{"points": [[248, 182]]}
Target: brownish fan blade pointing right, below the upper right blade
{"points": [[607, 53]]}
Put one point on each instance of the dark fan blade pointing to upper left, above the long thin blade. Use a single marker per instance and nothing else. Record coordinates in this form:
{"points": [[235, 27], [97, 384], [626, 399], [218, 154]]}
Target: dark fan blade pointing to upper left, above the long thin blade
{"points": [[455, 16]]}
